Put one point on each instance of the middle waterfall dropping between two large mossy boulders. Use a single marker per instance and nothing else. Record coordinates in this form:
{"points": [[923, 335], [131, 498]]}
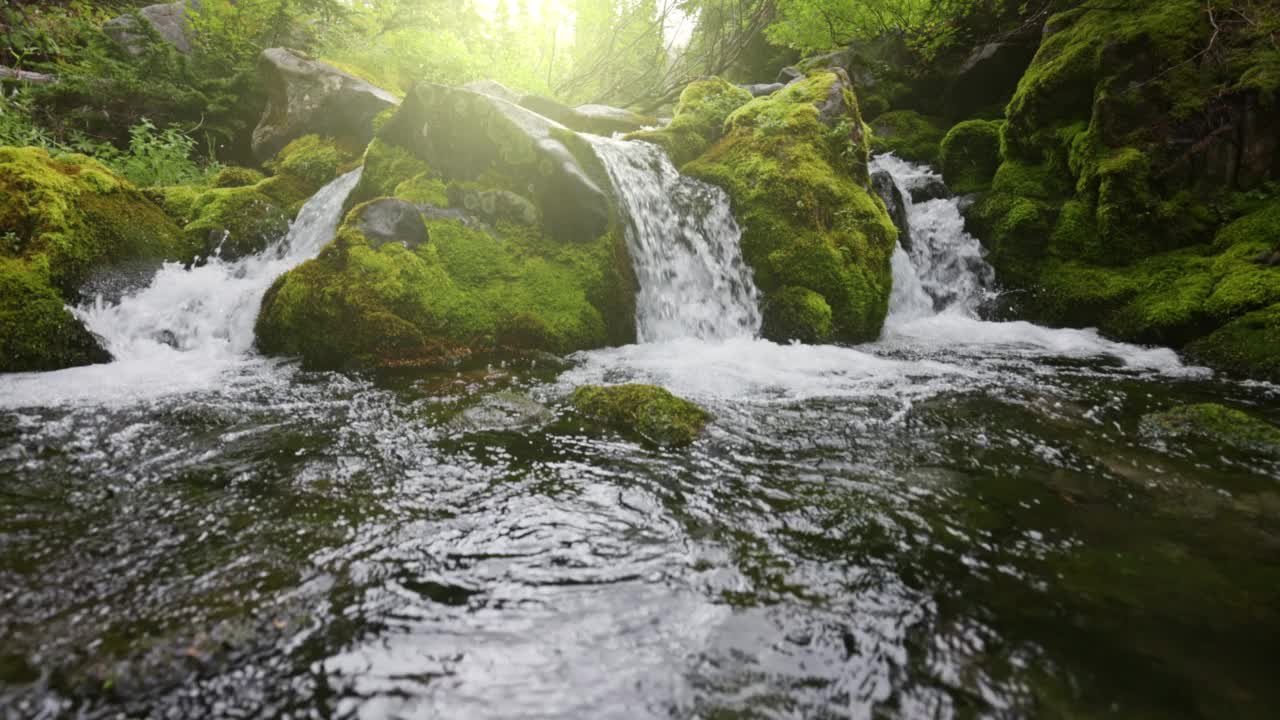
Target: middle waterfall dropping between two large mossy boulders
{"points": [[684, 247]]}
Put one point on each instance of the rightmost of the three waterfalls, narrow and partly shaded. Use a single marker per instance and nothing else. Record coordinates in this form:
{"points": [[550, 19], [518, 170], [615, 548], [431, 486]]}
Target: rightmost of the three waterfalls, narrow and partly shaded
{"points": [[944, 272]]}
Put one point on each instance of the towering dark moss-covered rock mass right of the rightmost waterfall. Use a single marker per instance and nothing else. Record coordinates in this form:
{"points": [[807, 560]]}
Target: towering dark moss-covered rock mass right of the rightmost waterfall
{"points": [[1113, 186]]}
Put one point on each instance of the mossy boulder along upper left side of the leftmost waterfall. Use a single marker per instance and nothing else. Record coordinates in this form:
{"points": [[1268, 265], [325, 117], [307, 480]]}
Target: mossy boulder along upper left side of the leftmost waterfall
{"points": [[237, 218]]}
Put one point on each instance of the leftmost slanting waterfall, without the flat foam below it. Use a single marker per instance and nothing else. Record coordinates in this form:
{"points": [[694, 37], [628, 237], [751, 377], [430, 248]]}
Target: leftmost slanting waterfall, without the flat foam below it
{"points": [[211, 309]]}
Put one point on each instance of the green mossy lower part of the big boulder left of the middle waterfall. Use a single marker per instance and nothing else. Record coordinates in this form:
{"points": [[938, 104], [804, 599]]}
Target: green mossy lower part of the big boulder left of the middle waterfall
{"points": [[470, 290]]}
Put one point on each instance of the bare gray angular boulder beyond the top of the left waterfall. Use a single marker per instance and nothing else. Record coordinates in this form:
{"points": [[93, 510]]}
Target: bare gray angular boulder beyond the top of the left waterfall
{"points": [[307, 97]]}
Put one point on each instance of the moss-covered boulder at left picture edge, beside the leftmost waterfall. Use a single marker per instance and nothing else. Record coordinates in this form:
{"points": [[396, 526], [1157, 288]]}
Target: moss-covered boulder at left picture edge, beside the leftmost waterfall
{"points": [[61, 220]]}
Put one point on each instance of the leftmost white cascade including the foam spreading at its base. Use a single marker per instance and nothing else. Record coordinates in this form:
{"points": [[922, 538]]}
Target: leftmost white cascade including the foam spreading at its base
{"points": [[191, 329]]}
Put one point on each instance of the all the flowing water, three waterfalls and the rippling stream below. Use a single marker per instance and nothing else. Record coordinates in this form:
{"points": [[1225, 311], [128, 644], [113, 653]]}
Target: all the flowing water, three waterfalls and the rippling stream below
{"points": [[963, 520]]}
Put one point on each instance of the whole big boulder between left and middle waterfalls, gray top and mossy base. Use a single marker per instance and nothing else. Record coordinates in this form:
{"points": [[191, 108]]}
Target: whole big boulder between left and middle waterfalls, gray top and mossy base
{"points": [[478, 229]]}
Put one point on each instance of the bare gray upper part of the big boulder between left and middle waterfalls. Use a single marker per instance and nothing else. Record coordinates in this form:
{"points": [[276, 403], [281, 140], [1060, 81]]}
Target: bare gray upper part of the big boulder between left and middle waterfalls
{"points": [[463, 135]]}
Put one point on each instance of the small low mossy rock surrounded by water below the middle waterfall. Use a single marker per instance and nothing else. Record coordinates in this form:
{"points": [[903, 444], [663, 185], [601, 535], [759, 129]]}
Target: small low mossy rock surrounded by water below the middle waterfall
{"points": [[650, 412]]}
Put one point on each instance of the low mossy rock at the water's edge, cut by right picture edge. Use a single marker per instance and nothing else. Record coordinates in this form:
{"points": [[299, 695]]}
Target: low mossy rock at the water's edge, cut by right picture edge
{"points": [[1246, 347]]}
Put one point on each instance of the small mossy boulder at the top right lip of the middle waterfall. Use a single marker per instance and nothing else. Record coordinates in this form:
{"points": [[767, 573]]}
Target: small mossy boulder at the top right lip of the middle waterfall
{"points": [[700, 120]]}
